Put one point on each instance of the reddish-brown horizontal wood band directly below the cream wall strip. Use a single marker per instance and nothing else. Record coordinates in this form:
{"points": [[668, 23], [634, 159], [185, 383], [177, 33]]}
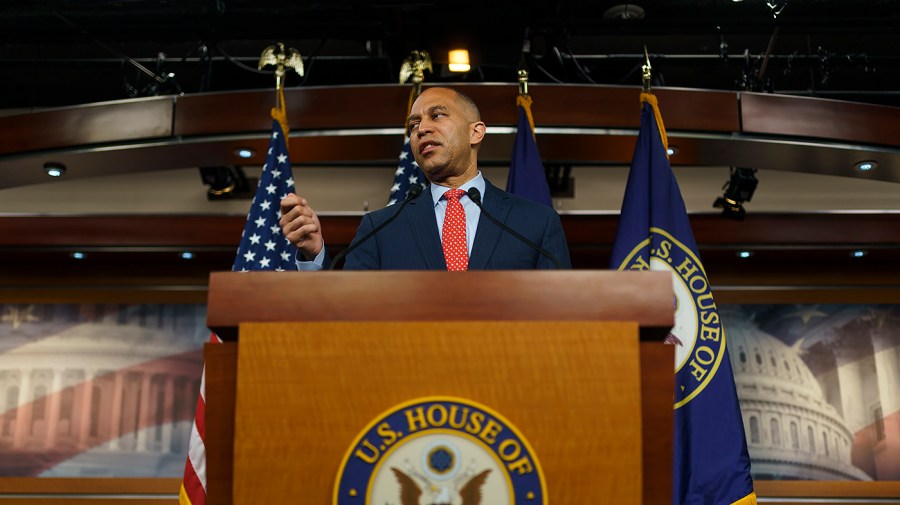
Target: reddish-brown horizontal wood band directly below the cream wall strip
{"points": [[814, 230]]}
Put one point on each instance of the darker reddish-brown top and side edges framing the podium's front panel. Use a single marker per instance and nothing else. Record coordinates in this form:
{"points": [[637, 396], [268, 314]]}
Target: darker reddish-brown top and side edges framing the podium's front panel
{"points": [[642, 297]]}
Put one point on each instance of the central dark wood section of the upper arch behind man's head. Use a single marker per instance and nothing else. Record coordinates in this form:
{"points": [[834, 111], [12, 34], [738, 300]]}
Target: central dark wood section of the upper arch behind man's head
{"points": [[383, 106]]}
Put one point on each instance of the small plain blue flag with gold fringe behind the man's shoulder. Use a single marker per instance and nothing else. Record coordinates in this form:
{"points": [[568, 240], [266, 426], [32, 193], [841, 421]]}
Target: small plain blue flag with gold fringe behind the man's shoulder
{"points": [[526, 171]]}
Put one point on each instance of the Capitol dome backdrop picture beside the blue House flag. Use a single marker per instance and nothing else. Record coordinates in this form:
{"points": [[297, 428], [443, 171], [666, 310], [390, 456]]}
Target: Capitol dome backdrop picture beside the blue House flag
{"points": [[825, 407]]}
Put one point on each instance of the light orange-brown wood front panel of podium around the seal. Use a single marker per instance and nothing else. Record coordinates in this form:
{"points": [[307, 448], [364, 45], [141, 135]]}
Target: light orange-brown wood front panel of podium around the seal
{"points": [[306, 390]]}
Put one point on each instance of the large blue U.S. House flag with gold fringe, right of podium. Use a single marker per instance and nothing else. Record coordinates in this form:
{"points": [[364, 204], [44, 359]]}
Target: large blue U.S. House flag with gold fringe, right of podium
{"points": [[712, 466]]}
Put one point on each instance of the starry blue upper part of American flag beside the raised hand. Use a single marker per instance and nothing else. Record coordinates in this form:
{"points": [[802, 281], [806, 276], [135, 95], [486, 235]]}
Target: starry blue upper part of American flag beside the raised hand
{"points": [[263, 246]]}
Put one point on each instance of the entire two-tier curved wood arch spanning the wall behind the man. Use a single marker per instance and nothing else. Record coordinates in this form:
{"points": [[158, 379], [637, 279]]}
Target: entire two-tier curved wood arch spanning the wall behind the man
{"points": [[362, 125]]}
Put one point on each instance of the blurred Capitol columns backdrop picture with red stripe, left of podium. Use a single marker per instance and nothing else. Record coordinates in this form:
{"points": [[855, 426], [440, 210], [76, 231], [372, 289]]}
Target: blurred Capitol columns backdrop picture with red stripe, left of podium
{"points": [[100, 391]]}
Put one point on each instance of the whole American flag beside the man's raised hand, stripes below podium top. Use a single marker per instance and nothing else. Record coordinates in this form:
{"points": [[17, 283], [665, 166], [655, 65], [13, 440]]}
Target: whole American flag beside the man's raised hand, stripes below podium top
{"points": [[262, 247]]}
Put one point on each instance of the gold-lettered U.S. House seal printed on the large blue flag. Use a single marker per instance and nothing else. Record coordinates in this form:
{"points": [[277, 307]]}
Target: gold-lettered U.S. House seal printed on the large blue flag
{"points": [[698, 334]]}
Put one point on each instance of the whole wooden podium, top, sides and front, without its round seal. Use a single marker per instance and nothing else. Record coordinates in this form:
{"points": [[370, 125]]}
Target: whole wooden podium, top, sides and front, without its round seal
{"points": [[574, 359]]}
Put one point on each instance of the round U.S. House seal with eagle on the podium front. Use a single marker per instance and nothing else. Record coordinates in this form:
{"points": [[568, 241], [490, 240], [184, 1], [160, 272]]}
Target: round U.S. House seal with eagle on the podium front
{"points": [[440, 451]]}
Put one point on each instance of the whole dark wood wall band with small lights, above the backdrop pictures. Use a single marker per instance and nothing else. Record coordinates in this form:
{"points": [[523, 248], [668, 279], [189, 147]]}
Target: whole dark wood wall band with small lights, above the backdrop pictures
{"points": [[807, 256]]}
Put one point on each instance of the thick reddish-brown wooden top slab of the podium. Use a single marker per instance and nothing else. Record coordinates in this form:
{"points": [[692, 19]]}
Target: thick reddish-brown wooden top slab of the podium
{"points": [[571, 295]]}
